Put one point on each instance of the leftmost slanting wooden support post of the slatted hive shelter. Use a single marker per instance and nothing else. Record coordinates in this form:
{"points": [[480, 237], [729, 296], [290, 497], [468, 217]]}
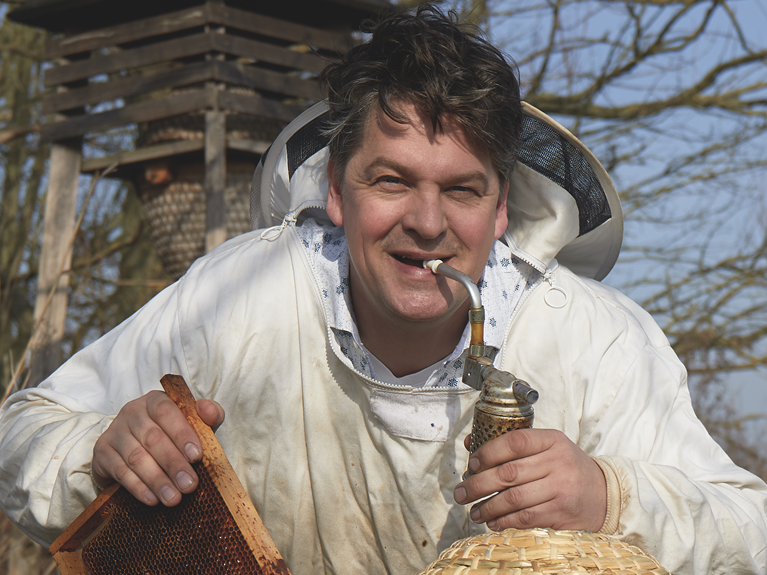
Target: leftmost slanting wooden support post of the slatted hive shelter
{"points": [[60, 214]]}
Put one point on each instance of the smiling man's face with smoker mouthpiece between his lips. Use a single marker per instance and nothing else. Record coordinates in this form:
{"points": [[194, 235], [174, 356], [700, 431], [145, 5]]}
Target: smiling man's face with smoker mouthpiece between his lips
{"points": [[408, 195]]}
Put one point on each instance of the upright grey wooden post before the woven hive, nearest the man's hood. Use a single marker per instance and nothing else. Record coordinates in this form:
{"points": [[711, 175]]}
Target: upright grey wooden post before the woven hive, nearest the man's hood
{"points": [[215, 178]]}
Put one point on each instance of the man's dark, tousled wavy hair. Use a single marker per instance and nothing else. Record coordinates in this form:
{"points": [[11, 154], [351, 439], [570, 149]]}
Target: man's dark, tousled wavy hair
{"points": [[444, 67]]}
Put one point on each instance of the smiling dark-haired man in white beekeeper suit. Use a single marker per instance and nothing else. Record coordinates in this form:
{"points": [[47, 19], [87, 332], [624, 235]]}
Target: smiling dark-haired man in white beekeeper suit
{"points": [[333, 353]]}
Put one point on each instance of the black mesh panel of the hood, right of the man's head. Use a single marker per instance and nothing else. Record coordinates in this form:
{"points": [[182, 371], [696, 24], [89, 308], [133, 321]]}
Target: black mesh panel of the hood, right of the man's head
{"points": [[547, 152]]}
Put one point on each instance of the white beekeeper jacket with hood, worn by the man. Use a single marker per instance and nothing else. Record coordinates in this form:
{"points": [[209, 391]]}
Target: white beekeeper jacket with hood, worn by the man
{"points": [[342, 490]]}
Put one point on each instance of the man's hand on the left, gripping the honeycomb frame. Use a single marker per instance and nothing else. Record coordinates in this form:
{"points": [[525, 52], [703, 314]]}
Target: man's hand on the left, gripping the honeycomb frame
{"points": [[149, 448]]}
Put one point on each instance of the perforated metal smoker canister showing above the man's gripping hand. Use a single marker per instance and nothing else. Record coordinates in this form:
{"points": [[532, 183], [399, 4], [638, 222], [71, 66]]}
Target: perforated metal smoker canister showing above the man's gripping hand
{"points": [[505, 403]]}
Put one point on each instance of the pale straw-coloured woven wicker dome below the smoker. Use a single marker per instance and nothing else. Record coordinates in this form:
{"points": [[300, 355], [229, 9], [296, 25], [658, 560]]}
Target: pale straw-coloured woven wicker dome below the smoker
{"points": [[543, 551]]}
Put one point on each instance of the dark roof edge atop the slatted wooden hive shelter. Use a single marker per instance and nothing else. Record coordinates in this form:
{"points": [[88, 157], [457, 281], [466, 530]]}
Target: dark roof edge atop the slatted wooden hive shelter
{"points": [[72, 16]]}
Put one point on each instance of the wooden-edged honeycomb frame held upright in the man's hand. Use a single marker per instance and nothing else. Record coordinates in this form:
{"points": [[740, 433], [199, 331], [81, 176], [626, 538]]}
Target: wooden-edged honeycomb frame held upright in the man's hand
{"points": [[214, 530]]}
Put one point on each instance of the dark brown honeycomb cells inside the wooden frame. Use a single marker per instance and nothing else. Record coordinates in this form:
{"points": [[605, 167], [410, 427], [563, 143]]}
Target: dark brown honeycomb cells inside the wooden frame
{"points": [[197, 536]]}
